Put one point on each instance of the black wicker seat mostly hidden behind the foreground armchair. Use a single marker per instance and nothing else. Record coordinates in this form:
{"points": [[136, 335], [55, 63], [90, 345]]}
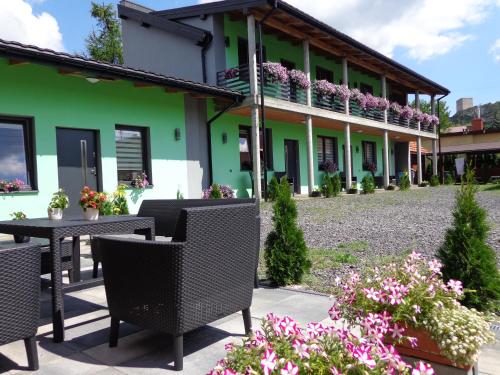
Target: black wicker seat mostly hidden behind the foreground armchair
{"points": [[166, 213]]}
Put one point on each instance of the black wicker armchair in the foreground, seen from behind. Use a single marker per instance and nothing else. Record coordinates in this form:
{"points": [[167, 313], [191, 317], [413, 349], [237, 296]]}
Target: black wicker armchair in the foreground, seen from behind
{"points": [[204, 274]]}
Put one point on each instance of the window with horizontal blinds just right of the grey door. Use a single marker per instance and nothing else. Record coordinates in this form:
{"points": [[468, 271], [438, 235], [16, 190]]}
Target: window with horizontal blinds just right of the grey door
{"points": [[132, 153]]}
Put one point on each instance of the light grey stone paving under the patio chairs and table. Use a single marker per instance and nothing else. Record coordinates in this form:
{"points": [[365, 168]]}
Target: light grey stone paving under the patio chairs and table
{"points": [[86, 349]]}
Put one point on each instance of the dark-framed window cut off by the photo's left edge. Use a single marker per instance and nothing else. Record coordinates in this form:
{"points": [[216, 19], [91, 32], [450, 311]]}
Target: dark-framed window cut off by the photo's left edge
{"points": [[17, 151]]}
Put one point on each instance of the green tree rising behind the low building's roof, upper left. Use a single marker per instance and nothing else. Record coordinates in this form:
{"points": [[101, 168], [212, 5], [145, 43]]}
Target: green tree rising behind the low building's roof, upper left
{"points": [[105, 44]]}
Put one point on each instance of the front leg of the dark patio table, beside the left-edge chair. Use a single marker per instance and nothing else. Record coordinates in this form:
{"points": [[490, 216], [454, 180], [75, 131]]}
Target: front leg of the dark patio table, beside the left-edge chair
{"points": [[57, 293]]}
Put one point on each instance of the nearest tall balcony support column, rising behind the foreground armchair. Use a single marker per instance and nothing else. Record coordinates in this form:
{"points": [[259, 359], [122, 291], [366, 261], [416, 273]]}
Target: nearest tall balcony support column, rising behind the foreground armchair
{"points": [[254, 87]]}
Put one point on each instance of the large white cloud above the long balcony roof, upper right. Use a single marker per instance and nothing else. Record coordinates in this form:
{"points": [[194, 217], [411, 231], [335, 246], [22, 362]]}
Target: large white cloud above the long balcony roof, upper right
{"points": [[424, 28]]}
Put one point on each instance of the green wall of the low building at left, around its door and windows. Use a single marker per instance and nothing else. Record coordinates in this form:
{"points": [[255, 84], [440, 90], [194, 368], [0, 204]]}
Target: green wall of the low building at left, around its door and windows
{"points": [[56, 100]]}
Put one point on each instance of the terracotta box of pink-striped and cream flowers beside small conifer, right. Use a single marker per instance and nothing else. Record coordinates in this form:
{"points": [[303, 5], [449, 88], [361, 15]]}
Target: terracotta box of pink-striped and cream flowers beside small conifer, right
{"points": [[424, 317]]}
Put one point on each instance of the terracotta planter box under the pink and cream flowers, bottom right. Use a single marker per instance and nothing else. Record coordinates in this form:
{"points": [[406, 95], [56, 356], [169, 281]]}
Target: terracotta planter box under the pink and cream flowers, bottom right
{"points": [[427, 349]]}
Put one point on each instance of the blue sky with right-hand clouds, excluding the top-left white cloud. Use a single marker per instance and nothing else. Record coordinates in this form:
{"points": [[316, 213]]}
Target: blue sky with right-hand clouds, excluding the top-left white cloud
{"points": [[452, 45]]}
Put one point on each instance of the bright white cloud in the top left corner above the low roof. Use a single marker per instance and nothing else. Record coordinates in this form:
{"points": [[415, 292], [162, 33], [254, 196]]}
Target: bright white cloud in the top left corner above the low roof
{"points": [[19, 23]]}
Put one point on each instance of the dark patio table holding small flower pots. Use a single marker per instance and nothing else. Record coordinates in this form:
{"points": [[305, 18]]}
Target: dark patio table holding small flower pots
{"points": [[56, 231]]}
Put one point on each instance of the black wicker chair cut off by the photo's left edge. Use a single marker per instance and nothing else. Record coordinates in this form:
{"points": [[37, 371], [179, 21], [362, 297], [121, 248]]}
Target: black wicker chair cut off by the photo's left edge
{"points": [[20, 298]]}
